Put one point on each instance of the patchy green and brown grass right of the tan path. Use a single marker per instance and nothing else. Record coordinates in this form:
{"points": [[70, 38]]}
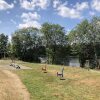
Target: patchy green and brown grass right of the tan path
{"points": [[80, 84]]}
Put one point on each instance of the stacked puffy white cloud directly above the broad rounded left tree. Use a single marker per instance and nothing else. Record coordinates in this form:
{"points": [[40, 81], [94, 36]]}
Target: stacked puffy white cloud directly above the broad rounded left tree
{"points": [[30, 20]]}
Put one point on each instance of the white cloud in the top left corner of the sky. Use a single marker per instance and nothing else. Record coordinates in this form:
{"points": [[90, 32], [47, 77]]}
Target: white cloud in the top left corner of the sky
{"points": [[4, 5]]}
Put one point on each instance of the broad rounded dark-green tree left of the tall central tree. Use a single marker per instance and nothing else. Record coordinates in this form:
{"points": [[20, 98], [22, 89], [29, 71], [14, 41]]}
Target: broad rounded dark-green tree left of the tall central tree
{"points": [[27, 44]]}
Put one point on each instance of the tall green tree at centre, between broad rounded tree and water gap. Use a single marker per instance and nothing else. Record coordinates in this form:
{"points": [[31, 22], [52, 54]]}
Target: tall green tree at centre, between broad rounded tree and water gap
{"points": [[55, 42]]}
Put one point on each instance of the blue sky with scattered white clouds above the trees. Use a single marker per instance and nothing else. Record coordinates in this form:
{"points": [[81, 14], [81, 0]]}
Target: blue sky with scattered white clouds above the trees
{"points": [[17, 14]]}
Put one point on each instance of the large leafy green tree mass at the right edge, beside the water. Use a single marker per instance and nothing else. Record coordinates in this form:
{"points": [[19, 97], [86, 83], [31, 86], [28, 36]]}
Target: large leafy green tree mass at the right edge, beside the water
{"points": [[86, 35]]}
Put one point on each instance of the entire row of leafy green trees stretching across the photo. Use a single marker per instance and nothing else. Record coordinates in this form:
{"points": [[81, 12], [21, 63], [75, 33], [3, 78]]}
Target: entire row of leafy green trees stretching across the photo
{"points": [[51, 41]]}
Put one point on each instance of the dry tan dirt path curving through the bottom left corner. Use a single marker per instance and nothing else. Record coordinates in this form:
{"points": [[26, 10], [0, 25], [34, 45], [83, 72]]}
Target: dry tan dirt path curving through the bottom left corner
{"points": [[11, 88]]}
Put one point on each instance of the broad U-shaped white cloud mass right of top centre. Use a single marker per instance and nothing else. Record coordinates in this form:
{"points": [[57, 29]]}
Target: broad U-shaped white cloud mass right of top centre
{"points": [[64, 10]]}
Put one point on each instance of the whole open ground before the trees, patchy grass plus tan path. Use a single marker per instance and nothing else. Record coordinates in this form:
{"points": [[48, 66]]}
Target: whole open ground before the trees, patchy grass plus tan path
{"points": [[79, 84]]}
